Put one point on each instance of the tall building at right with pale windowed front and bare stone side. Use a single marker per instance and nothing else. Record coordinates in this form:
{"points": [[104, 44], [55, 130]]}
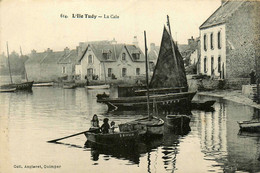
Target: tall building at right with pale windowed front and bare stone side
{"points": [[228, 40]]}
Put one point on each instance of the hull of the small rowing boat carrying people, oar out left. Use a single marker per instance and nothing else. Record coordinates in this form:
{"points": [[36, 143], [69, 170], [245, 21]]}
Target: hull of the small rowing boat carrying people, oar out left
{"points": [[112, 138]]}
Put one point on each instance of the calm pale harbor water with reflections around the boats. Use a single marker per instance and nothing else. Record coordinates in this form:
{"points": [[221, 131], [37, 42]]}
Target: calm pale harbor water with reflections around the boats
{"points": [[29, 119]]}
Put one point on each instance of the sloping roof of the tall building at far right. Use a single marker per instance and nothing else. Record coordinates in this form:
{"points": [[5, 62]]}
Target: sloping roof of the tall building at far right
{"points": [[222, 14]]}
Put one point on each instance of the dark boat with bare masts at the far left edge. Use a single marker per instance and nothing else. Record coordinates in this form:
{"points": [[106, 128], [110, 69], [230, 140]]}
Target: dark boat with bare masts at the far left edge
{"points": [[25, 86]]}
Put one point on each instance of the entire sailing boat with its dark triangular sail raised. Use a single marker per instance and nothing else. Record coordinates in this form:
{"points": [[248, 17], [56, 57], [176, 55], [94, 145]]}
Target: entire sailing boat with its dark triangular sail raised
{"points": [[168, 84]]}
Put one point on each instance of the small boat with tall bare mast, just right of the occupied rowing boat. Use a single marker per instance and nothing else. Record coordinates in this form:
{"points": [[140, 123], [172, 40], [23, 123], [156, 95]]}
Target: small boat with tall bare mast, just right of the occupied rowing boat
{"points": [[150, 125]]}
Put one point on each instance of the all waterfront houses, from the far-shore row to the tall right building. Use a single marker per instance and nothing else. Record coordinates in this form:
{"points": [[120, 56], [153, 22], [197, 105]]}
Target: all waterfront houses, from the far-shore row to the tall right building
{"points": [[228, 47]]}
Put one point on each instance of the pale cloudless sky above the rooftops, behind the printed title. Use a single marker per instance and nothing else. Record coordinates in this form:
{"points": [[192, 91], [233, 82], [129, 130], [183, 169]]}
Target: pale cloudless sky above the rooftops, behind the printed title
{"points": [[40, 24]]}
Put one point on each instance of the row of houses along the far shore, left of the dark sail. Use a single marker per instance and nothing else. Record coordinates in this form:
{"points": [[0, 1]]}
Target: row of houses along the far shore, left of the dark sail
{"points": [[98, 60]]}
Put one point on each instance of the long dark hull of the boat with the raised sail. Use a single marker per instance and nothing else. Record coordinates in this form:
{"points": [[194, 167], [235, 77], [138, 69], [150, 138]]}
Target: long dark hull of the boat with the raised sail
{"points": [[163, 100]]}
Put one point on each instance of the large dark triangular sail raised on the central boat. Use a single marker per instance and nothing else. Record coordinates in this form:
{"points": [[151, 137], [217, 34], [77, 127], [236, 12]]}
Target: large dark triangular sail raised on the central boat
{"points": [[169, 71]]}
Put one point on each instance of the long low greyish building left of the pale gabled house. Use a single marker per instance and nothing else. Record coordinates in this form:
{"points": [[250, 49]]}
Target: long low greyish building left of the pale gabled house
{"points": [[49, 65]]}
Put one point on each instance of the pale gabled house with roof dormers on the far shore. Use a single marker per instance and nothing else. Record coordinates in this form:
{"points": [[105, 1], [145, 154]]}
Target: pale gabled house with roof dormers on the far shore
{"points": [[102, 61]]}
